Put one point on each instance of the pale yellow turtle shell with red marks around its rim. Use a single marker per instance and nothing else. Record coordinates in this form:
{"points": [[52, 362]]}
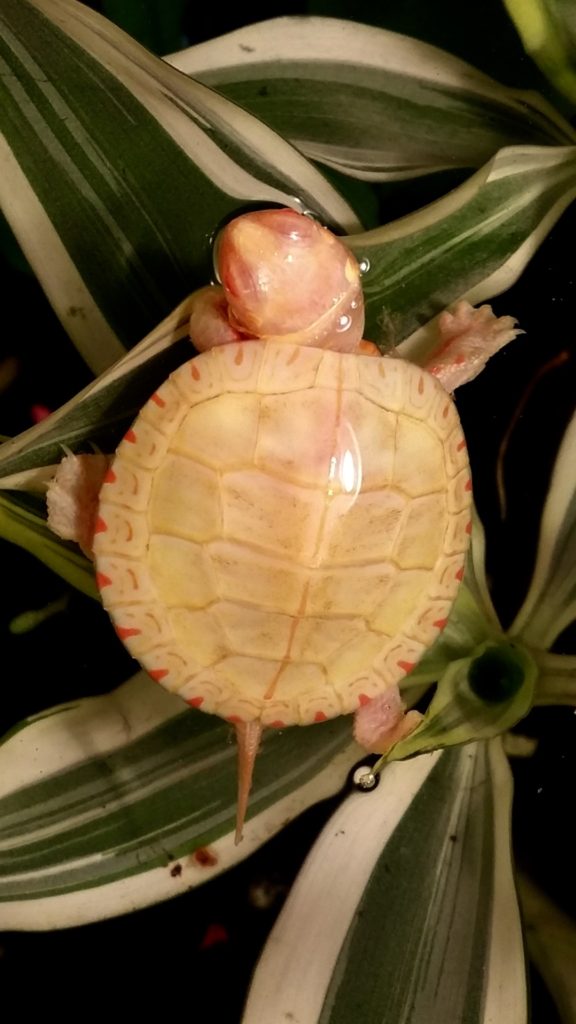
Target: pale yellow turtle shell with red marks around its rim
{"points": [[283, 530]]}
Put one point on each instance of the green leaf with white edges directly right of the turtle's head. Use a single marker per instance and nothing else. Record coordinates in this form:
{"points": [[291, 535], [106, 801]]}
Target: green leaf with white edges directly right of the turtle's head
{"points": [[473, 244]]}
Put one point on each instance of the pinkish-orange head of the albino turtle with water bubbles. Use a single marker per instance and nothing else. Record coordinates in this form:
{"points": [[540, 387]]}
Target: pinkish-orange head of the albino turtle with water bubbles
{"points": [[287, 278]]}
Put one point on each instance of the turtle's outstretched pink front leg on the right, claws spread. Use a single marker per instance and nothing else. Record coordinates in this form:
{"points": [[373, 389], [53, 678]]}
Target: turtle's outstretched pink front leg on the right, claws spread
{"points": [[468, 338]]}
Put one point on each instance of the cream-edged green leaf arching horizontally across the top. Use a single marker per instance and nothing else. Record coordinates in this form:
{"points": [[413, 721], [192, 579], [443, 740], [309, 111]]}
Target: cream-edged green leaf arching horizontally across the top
{"points": [[371, 103]]}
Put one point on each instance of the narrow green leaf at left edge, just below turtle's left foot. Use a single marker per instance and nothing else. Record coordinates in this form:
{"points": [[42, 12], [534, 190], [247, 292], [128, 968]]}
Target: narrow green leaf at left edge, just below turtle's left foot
{"points": [[24, 525]]}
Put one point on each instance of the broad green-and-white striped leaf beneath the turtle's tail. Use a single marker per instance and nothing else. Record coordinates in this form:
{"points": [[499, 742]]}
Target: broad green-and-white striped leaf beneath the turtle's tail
{"points": [[101, 800]]}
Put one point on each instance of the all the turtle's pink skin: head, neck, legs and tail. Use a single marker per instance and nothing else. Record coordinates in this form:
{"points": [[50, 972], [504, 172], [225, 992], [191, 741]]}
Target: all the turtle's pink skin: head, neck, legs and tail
{"points": [[285, 278]]}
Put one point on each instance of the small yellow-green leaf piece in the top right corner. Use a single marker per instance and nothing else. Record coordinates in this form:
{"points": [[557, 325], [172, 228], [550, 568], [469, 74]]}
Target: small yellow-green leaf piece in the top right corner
{"points": [[548, 29]]}
